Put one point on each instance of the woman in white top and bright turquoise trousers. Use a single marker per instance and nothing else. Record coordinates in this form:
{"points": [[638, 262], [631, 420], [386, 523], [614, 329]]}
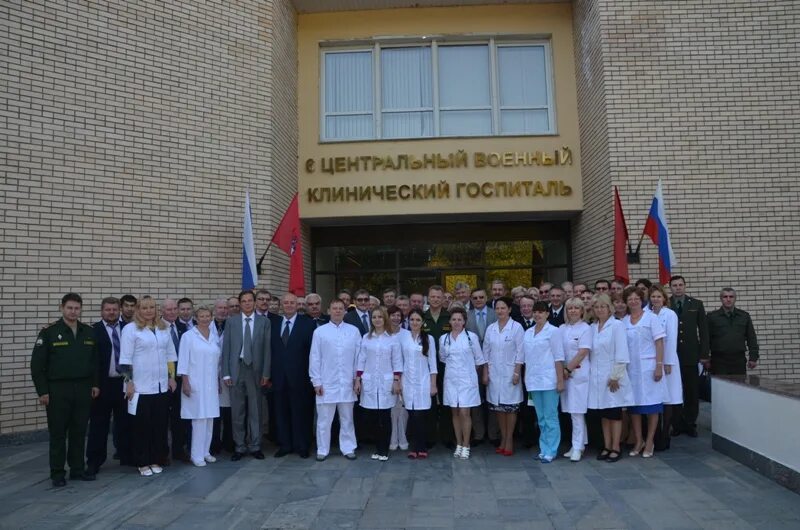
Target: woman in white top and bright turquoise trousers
{"points": [[544, 378]]}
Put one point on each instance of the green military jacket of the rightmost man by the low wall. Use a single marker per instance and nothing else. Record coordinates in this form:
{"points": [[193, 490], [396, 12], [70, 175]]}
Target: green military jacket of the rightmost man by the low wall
{"points": [[732, 335]]}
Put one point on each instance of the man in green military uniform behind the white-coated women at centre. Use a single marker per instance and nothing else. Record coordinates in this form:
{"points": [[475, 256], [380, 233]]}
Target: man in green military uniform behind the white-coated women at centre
{"points": [[436, 323]]}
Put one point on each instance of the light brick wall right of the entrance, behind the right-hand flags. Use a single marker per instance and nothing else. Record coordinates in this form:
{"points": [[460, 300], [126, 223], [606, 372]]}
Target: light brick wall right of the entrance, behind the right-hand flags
{"points": [[704, 94]]}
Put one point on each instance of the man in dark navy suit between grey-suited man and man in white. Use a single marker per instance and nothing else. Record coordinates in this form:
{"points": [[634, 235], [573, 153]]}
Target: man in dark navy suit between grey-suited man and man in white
{"points": [[291, 386]]}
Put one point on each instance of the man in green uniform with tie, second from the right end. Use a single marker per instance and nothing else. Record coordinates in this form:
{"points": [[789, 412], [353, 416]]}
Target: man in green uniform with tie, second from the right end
{"points": [[692, 348]]}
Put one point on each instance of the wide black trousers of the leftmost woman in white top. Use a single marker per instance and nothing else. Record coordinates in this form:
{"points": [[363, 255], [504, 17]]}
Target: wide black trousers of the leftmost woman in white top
{"points": [[150, 429]]}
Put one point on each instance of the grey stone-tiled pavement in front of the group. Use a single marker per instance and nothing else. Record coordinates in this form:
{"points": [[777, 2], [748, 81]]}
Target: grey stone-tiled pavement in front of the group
{"points": [[689, 486]]}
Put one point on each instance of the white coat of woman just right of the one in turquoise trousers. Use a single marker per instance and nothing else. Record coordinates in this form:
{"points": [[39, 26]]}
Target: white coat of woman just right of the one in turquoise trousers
{"points": [[574, 337]]}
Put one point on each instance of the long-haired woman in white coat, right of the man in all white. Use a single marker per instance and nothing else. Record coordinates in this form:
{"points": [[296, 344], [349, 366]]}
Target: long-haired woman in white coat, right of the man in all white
{"points": [[378, 369]]}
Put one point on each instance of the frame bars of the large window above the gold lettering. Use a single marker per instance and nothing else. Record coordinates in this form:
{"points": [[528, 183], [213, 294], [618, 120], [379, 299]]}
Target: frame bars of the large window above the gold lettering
{"points": [[495, 107]]}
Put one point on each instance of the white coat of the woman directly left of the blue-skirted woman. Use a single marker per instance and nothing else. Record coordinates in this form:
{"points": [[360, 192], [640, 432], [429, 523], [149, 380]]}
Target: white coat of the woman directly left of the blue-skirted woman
{"points": [[609, 348]]}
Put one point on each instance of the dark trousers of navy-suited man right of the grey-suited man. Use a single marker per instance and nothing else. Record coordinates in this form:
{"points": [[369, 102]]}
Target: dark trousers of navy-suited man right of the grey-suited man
{"points": [[294, 417]]}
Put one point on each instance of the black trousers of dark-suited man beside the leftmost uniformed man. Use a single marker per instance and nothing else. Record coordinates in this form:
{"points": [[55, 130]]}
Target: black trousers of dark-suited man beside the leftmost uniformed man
{"points": [[110, 402]]}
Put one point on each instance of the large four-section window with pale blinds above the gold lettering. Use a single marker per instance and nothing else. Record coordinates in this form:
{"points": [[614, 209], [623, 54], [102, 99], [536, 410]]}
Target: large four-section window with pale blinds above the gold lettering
{"points": [[437, 89]]}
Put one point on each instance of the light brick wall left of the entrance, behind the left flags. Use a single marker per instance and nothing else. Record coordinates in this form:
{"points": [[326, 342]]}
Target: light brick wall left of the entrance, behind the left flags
{"points": [[132, 129]]}
